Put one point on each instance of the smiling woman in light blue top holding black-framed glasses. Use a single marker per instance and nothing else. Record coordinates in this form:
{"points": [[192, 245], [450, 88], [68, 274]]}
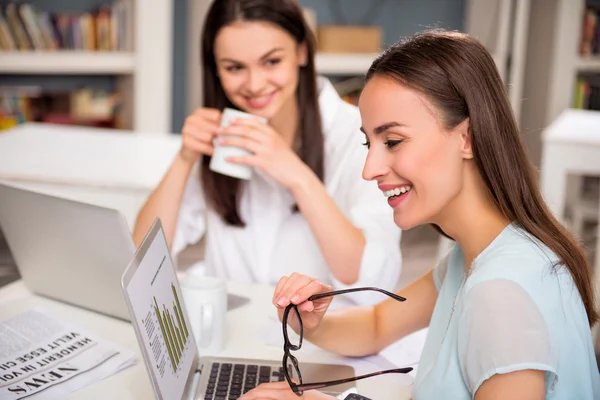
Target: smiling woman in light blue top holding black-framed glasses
{"points": [[509, 309]]}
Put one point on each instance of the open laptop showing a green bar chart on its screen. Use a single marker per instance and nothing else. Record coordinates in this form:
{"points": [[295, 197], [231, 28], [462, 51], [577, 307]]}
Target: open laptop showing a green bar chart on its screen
{"points": [[167, 344]]}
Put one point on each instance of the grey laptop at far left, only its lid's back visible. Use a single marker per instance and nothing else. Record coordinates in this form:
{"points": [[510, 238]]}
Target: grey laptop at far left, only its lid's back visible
{"points": [[67, 250]]}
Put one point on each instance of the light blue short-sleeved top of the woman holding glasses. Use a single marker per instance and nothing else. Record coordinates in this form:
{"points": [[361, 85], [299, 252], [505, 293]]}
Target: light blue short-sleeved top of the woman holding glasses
{"points": [[513, 312]]}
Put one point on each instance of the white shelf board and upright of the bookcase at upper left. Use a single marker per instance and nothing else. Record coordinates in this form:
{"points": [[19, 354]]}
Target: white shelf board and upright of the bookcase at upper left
{"points": [[144, 75]]}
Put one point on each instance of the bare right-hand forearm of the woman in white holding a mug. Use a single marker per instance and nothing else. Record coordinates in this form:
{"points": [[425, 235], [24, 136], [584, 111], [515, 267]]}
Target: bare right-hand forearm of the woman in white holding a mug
{"points": [[341, 243]]}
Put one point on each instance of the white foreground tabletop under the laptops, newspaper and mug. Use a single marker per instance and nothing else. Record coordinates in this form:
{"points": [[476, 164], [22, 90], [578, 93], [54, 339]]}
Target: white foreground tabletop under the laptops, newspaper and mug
{"points": [[242, 325]]}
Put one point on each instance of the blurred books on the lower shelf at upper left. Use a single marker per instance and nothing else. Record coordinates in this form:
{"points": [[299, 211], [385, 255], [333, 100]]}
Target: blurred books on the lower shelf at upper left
{"points": [[85, 106]]}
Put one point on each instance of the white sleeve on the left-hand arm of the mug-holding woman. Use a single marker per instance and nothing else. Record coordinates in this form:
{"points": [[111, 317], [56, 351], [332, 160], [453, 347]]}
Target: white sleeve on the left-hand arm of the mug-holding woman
{"points": [[191, 221]]}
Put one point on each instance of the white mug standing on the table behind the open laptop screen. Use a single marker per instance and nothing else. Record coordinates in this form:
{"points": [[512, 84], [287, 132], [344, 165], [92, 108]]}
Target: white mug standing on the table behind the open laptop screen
{"points": [[205, 300]]}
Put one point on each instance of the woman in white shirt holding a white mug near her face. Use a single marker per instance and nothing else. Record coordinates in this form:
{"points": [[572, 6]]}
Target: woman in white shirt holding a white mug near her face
{"points": [[305, 207]]}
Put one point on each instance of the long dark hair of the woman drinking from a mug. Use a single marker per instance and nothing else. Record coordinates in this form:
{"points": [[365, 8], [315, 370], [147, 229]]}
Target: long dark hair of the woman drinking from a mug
{"points": [[222, 192]]}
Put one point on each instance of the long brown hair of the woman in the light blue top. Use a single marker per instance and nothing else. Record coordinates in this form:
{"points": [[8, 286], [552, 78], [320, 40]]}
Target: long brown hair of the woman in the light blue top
{"points": [[459, 77]]}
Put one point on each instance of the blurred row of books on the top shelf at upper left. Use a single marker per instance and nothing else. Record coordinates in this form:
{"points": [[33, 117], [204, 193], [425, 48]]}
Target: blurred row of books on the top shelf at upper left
{"points": [[25, 27]]}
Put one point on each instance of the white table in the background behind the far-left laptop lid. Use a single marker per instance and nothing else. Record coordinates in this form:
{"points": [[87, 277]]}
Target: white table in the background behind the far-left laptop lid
{"points": [[106, 167]]}
